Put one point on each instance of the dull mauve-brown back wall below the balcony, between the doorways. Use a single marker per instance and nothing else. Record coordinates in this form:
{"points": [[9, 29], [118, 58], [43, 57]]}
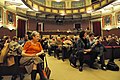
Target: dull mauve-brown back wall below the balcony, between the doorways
{"points": [[53, 26]]}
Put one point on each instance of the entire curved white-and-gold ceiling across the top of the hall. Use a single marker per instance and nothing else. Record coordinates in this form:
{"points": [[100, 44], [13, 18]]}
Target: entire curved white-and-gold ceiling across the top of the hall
{"points": [[47, 11]]}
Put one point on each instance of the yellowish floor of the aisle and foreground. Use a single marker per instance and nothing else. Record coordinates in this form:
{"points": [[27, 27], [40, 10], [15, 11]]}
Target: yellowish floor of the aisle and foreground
{"points": [[63, 71]]}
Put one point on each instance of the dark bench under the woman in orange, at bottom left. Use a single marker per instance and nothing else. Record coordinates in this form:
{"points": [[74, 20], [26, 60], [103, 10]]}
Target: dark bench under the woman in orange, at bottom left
{"points": [[14, 70]]}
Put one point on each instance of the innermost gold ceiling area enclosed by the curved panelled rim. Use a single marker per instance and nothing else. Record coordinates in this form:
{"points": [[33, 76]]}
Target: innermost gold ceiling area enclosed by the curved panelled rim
{"points": [[63, 3]]}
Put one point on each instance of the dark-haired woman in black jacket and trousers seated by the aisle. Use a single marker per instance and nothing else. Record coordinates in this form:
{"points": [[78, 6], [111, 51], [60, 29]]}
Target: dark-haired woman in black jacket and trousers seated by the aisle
{"points": [[84, 48]]}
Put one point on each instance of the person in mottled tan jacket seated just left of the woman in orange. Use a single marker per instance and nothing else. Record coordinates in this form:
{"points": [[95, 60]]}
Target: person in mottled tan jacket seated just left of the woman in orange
{"points": [[14, 50]]}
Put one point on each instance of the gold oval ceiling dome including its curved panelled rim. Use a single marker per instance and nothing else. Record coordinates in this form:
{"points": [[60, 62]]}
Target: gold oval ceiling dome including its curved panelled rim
{"points": [[65, 7]]}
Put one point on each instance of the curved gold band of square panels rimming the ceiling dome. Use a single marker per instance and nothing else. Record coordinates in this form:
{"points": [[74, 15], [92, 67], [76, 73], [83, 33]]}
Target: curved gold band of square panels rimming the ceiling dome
{"points": [[81, 10]]}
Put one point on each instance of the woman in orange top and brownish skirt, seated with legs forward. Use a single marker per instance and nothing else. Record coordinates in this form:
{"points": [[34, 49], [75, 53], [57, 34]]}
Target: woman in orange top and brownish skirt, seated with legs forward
{"points": [[31, 60]]}
